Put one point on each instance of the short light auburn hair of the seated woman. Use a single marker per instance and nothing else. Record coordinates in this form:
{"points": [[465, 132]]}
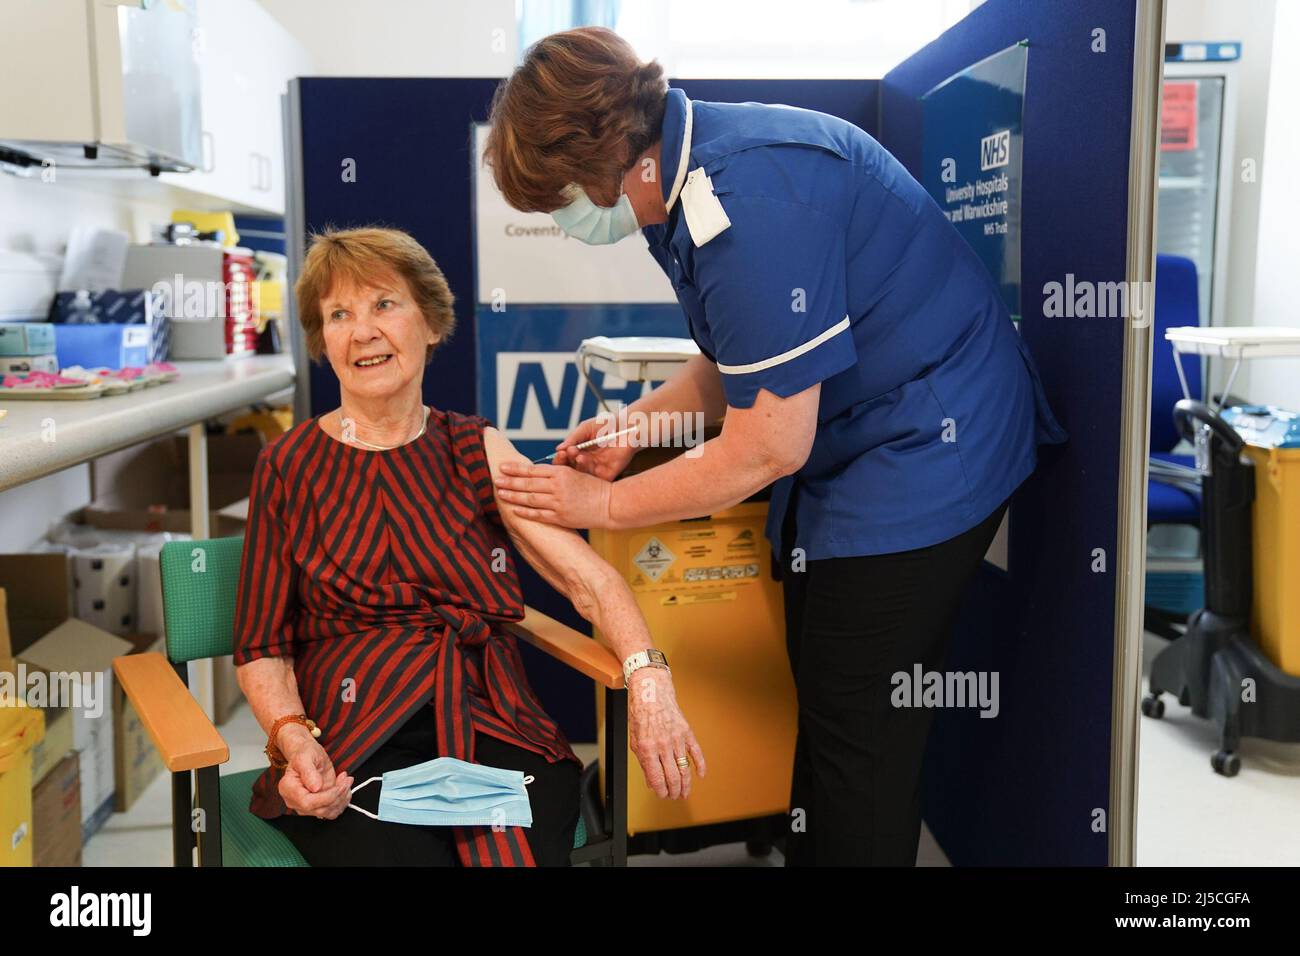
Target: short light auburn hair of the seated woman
{"points": [[365, 258]]}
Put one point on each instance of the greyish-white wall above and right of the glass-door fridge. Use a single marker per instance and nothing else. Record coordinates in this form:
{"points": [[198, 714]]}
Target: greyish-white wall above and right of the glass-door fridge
{"points": [[1253, 24]]}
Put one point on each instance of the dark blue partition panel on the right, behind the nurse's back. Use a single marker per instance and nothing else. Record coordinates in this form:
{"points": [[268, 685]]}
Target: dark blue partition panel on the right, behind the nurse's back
{"points": [[1033, 785]]}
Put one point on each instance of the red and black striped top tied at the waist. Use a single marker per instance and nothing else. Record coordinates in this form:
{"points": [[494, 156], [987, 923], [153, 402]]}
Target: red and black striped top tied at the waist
{"points": [[388, 576]]}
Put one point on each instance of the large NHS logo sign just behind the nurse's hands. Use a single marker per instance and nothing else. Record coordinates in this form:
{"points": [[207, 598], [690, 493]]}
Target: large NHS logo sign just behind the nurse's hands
{"points": [[543, 396]]}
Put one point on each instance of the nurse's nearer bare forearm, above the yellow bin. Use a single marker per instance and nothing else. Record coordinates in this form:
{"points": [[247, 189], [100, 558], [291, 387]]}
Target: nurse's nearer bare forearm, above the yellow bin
{"points": [[725, 474]]}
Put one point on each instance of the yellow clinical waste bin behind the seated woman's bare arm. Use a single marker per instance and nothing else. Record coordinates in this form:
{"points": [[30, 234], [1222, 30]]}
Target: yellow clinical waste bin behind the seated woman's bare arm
{"points": [[707, 591]]}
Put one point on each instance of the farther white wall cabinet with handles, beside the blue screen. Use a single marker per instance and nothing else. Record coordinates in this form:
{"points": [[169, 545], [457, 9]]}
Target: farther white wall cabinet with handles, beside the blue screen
{"points": [[246, 60]]}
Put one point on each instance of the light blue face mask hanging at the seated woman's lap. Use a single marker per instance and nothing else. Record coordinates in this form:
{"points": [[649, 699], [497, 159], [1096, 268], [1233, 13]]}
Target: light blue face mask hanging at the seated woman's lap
{"points": [[447, 791]]}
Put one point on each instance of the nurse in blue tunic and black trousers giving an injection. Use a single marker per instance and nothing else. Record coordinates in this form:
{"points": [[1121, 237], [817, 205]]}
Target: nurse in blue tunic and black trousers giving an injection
{"points": [[868, 369]]}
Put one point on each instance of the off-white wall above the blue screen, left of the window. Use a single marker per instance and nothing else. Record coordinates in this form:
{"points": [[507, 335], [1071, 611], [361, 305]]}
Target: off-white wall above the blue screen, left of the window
{"points": [[404, 38]]}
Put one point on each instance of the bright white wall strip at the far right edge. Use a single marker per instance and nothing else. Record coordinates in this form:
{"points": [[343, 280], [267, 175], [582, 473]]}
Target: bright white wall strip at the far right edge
{"points": [[1277, 301]]}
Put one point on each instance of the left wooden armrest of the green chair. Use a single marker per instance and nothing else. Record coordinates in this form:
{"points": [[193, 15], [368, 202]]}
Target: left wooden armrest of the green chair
{"points": [[174, 719]]}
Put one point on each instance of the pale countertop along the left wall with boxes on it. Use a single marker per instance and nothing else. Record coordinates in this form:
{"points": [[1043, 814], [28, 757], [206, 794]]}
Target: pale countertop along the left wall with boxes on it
{"points": [[90, 429]]}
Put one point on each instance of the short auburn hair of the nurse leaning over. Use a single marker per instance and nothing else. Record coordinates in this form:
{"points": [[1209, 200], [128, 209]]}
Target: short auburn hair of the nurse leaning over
{"points": [[580, 109]]}
